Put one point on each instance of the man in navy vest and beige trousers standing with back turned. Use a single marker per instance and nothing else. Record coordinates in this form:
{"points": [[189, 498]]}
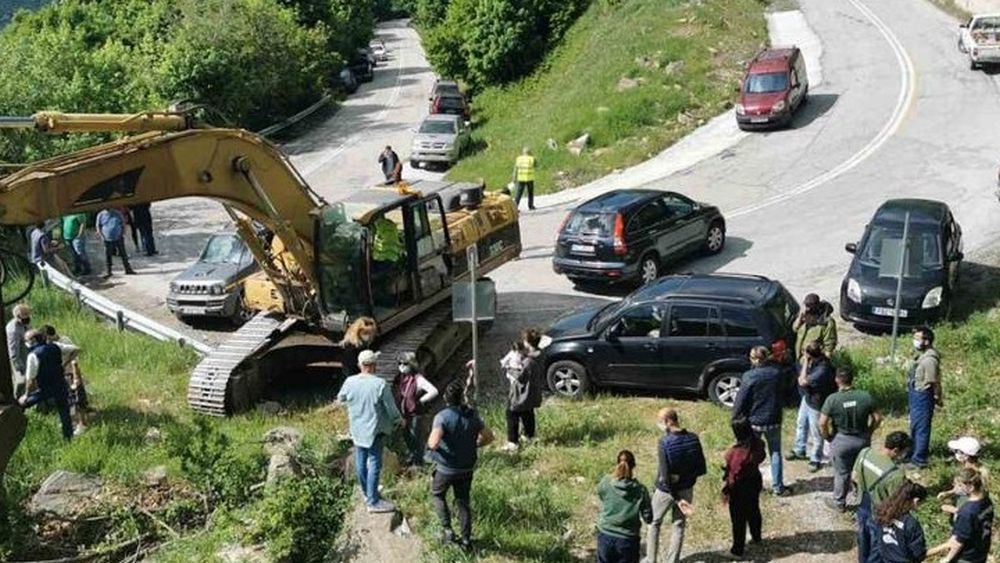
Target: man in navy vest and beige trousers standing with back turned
{"points": [[681, 462]]}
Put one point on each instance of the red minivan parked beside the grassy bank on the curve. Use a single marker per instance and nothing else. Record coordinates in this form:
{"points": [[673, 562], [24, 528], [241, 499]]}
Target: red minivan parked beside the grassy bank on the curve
{"points": [[775, 86]]}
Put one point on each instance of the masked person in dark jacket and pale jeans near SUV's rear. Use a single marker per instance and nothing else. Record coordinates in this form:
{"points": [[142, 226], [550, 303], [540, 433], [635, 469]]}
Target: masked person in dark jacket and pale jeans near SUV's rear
{"points": [[816, 383]]}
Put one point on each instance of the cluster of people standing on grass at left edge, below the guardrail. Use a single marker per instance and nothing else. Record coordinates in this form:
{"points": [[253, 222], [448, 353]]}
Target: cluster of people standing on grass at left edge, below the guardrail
{"points": [[45, 371]]}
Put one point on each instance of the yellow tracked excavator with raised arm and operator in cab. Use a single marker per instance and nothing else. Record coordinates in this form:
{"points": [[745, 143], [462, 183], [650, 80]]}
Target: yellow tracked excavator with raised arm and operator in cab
{"points": [[326, 264]]}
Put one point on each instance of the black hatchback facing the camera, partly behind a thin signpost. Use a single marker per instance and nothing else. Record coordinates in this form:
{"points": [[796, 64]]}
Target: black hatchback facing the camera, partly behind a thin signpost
{"points": [[930, 272]]}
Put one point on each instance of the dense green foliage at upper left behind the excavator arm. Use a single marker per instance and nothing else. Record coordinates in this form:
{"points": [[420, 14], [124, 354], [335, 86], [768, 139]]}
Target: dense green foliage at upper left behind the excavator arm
{"points": [[255, 61]]}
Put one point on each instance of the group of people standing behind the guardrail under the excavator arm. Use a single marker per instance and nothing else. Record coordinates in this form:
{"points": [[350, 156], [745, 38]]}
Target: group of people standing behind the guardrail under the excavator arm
{"points": [[111, 225]]}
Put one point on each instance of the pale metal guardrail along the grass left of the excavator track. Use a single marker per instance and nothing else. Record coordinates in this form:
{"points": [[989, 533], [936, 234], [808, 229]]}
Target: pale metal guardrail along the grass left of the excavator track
{"points": [[124, 318]]}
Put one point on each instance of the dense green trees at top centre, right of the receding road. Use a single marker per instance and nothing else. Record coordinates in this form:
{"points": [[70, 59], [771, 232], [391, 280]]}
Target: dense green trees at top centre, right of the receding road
{"points": [[489, 42]]}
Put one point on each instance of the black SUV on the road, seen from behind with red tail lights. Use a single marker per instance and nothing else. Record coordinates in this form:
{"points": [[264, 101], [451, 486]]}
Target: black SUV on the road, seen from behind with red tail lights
{"points": [[630, 235]]}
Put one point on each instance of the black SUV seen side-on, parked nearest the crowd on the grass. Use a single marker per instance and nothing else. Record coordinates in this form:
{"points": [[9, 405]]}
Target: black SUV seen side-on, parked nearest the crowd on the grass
{"points": [[690, 333]]}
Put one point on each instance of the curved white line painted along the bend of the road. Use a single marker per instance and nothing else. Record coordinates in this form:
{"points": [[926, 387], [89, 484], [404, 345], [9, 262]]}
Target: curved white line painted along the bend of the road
{"points": [[903, 102]]}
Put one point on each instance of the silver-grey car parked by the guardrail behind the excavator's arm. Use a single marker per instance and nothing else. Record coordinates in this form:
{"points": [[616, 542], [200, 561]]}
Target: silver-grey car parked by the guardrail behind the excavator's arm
{"points": [[211, 286]]}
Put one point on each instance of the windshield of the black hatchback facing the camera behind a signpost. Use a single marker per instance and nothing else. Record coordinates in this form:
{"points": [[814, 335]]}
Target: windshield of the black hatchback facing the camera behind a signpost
{"points": [[924, 253]]}
